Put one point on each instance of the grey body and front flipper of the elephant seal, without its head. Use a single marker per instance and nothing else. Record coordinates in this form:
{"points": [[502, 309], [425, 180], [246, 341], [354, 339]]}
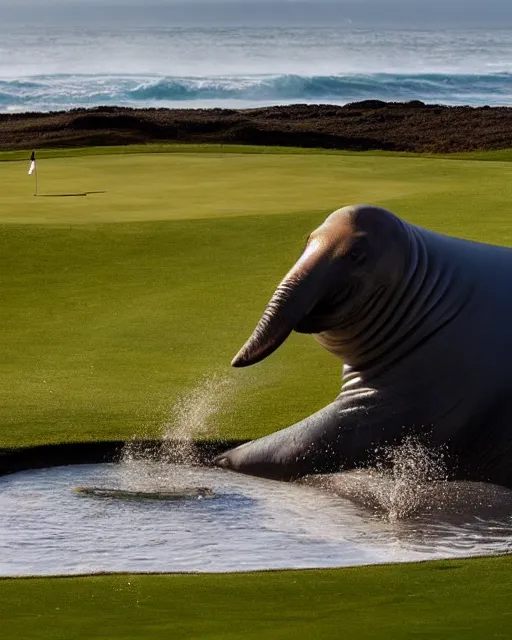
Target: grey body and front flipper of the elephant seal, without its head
{"points": [[429, 352]]}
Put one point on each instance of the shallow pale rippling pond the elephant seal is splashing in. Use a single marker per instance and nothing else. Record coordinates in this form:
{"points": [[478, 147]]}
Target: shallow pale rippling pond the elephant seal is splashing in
{"points": [[47, 528]]}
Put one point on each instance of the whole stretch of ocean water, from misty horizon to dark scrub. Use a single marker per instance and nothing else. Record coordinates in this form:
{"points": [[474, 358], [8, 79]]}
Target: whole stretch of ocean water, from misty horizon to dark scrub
{"points": [[63, 63]]}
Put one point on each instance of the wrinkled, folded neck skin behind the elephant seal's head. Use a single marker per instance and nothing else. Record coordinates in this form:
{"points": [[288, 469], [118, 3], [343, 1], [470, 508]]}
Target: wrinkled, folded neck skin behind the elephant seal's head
{"points": [[376, 330]]}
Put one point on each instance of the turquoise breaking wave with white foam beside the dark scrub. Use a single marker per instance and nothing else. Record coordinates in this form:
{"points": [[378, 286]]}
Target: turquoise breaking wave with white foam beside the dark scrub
{"points": [[51, 92]]}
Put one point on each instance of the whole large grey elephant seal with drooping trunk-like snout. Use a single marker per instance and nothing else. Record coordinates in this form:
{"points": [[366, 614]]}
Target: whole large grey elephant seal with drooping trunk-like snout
{"points": [[423, 324]]}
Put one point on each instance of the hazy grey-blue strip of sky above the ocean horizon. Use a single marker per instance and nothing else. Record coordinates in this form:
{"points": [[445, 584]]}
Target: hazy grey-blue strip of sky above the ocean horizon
{"points": [[360, 13]]}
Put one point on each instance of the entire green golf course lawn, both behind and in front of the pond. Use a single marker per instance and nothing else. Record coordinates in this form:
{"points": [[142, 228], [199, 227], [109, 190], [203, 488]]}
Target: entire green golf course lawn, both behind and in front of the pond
{"points": [[122, 307]]}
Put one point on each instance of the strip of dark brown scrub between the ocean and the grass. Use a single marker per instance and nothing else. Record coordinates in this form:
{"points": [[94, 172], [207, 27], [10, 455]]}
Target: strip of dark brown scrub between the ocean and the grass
{"points": [[361, 126]]}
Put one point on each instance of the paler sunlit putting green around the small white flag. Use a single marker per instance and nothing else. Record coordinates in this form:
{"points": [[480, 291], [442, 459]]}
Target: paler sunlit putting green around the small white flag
{"points": [[185, 186]]}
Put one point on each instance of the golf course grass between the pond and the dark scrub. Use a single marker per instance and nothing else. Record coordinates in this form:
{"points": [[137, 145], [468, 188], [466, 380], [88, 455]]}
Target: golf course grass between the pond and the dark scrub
{"points": [[116, 303]]}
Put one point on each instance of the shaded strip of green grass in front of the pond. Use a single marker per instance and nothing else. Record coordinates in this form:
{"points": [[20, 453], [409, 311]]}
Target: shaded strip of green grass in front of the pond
{"points": [[464, 600]]}
